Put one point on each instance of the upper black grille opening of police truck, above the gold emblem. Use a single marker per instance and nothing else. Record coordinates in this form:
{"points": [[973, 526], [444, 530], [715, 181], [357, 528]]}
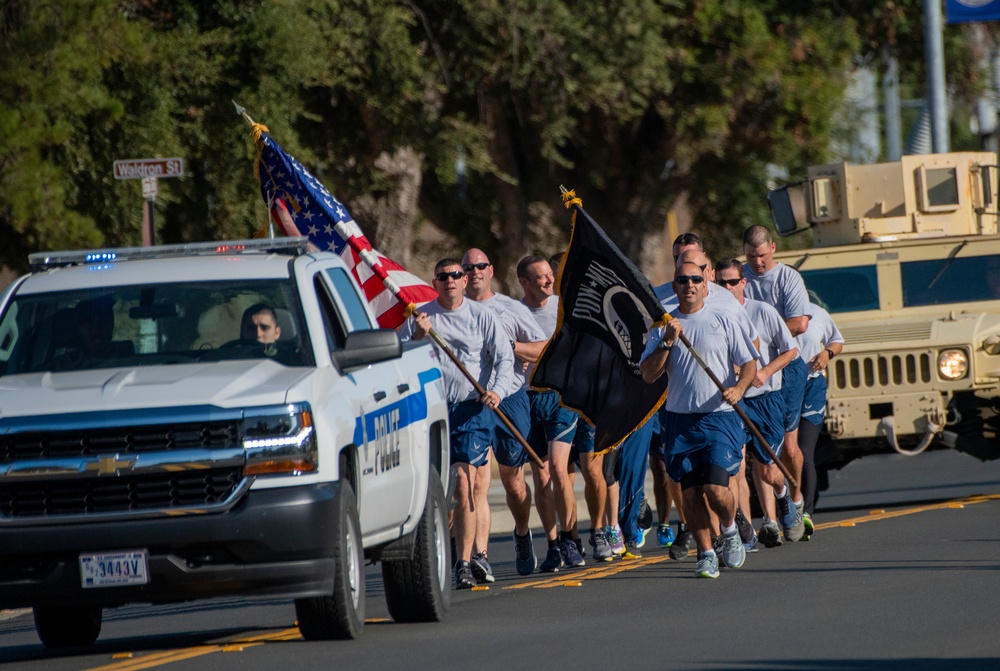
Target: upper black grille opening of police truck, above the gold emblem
{"points": [[129, 439]]}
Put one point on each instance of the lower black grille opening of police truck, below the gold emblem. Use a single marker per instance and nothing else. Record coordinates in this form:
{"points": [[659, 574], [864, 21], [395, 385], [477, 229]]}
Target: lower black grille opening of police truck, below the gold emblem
{"points": [[118, 494]]}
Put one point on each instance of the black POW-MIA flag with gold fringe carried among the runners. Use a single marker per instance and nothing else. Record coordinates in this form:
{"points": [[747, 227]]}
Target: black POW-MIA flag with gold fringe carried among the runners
{"points": [[606, 310]]}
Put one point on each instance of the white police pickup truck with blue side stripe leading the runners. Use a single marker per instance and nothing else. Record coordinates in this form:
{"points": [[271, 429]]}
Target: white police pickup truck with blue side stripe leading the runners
{"points": [[222, 419]]}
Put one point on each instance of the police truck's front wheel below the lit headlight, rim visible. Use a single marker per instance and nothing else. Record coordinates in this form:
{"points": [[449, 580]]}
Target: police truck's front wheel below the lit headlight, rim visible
{"points": [[340, 615]]}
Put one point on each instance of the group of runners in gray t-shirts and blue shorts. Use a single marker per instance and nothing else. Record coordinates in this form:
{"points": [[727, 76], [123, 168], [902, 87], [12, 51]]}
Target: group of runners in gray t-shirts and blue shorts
{"points": [[752, 324]]}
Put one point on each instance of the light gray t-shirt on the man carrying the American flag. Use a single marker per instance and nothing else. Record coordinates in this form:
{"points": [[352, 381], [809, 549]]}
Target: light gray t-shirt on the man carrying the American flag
{"points": [[478, 340]]}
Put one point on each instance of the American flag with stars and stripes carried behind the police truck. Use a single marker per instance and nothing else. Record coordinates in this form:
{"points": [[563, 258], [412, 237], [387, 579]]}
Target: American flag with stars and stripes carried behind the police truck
{"points": [[303, 206]]}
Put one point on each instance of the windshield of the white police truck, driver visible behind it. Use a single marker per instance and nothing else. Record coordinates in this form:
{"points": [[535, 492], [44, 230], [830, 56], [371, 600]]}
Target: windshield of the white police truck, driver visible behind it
{"points": [[150, 325]]}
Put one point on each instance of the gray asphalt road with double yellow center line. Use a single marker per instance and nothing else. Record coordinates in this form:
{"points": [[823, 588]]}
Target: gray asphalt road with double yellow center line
{"points": [[903, 573]]}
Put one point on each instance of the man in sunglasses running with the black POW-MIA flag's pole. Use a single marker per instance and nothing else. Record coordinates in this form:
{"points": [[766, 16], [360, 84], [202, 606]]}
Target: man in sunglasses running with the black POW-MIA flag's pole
{"points": [[705, 435]]}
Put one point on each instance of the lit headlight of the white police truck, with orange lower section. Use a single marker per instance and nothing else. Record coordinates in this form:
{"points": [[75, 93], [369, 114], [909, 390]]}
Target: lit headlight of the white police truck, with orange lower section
{"points": [[280, 440]]}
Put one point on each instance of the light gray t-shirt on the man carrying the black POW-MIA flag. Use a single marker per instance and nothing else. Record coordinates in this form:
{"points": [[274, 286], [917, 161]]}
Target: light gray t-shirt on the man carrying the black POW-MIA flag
{"points": [[721, 344]]}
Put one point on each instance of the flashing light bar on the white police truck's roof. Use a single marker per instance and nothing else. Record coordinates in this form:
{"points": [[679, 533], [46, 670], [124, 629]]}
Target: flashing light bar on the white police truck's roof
{"points": [[46, 260]]}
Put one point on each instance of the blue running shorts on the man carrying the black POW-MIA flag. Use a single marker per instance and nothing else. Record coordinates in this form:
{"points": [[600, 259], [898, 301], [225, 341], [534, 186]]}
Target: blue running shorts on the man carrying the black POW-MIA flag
{"points": [[696, 439]]}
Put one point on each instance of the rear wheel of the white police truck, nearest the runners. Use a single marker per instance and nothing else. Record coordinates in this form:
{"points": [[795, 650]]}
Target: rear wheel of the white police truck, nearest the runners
{"points": [[419, 589]]}
